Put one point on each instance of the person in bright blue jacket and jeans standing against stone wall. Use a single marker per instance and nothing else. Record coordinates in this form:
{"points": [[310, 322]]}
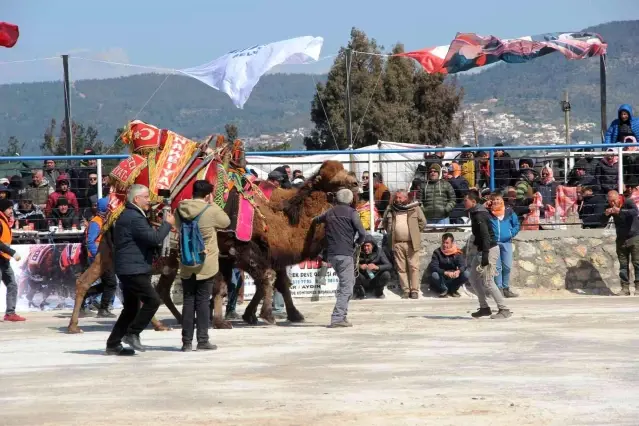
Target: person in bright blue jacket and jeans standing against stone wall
{"points": [[505, 225]]}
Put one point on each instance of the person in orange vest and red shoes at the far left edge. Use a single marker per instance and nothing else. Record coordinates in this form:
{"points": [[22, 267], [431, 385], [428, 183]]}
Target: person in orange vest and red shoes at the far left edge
{"points": [[6, 254]]}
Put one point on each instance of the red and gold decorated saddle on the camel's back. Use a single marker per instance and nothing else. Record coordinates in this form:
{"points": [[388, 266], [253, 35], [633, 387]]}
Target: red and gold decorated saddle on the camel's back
{"points": [[164, 160]]}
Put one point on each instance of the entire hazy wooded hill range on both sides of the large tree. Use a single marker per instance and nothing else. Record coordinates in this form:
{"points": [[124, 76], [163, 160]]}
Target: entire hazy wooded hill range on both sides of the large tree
{"points": [[517, 103]]}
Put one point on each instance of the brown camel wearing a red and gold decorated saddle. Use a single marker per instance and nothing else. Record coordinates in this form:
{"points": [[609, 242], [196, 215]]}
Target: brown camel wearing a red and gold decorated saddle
{"points": [[270, 227]]}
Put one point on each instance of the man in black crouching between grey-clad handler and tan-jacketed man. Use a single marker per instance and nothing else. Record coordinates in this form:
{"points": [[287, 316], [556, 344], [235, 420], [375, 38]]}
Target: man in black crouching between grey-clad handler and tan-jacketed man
{"points": [[374, 270]]}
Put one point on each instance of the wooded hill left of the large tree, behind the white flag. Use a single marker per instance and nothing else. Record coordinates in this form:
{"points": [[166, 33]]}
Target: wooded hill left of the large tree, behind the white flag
{"points": [[279, 102]]}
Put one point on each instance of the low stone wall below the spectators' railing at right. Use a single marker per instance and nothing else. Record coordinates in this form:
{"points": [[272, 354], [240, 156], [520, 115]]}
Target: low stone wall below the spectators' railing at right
{"points": [[578, 260]]}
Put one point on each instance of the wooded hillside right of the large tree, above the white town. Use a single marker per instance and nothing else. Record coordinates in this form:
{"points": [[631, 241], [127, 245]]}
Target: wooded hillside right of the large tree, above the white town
{"points": [[532, 91]]}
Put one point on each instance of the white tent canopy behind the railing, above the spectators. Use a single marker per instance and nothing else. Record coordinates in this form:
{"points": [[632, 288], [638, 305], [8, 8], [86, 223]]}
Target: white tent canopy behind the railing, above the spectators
{"points": [[397, 169]]}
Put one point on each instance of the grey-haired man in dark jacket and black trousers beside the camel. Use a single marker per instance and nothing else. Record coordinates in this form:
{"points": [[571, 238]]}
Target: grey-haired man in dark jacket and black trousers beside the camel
{"points": [[134, 242]]}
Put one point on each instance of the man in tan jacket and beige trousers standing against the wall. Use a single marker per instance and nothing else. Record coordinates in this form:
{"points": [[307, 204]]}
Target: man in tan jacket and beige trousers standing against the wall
{"points": [[403, 223]]}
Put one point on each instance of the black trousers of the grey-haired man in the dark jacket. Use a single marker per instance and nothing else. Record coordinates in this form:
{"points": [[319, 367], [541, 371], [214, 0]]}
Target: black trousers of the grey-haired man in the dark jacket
{"points": [[133, 318]]}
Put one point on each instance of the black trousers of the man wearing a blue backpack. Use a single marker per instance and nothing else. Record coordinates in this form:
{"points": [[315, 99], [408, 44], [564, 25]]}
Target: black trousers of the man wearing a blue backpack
{"points": [[196, 308]]}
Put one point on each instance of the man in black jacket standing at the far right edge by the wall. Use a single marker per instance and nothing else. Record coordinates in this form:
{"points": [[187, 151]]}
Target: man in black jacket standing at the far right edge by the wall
{"points": [[626, 218]]}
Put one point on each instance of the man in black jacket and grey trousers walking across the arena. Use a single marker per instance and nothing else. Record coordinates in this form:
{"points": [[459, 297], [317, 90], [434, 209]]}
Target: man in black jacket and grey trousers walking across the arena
{"points": [[484, 253]]}
